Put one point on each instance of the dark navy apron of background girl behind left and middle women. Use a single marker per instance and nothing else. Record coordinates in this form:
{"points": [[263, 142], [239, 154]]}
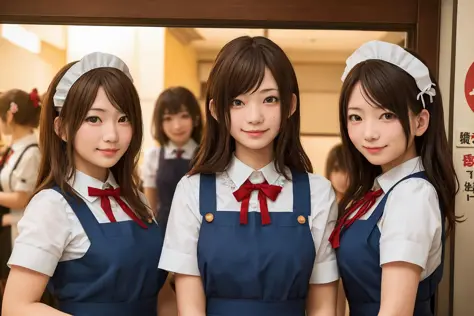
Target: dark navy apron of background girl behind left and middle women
{"points": [[169, 172]]}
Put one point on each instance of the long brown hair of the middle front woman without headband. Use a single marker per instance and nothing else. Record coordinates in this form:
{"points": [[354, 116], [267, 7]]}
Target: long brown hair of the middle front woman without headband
{"points": [[240, 68]]}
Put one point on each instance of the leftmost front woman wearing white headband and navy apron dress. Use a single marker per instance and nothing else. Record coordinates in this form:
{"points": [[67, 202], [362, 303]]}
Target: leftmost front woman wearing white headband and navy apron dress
{"points": [[87, 230]]}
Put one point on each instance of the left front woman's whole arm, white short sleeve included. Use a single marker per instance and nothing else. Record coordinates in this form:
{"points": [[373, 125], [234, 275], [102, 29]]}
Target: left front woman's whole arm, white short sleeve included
{"points": [[44, 234]]}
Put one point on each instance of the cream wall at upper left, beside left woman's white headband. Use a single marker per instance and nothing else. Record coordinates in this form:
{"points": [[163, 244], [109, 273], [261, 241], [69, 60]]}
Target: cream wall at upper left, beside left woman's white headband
{"points": [[21, 69]]}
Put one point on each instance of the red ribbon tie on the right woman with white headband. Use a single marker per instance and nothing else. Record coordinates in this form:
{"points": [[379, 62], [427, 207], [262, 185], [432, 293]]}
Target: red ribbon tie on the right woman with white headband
{"points": [[363, 206]]}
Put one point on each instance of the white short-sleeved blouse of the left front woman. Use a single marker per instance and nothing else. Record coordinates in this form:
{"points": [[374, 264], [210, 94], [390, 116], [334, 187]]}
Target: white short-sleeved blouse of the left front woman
{"points": [[50, 231]]}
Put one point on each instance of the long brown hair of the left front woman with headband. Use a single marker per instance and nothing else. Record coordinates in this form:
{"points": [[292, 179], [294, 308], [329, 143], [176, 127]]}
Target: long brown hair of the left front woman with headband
{"points": [[57, 162]]}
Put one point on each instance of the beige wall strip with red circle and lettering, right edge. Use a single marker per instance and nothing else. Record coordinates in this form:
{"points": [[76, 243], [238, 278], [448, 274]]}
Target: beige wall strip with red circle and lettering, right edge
{"points": [[463, 121]]}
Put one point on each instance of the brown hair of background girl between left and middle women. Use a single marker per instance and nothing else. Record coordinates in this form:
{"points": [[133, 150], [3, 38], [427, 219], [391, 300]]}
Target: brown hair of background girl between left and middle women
{"points": [[172, 101]]}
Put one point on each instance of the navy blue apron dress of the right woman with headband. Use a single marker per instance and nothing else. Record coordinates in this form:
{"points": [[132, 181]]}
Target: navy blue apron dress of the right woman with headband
{"points": [[359, 265]]}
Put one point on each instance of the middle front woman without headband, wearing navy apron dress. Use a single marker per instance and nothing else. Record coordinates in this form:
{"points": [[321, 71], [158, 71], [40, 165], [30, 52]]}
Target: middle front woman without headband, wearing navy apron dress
{"points": [[249, 227]]}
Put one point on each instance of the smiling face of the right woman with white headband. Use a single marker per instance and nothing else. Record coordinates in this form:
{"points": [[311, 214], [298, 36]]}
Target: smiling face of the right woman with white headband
{"points": [[377, 133]]}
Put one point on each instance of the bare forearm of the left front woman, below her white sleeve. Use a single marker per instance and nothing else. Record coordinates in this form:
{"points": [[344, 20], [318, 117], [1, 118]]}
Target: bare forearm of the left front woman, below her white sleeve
{"points": [[21, 300]]}
